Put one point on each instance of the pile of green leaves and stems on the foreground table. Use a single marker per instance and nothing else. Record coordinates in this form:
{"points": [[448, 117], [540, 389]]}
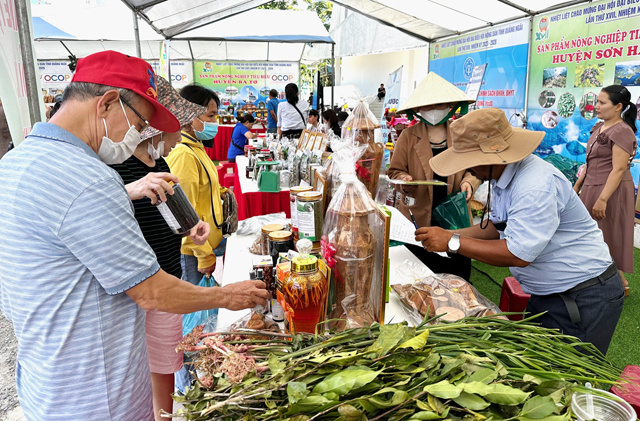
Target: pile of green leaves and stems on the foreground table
{"points": [[474, 369]]}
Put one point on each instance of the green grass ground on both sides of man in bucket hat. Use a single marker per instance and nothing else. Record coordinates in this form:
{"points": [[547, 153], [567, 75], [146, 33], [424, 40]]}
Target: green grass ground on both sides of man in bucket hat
{"points": [[625, 345]]}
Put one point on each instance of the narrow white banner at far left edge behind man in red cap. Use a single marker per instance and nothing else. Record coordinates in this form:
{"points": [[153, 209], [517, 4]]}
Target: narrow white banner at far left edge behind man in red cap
{"points": [[13, 87]]}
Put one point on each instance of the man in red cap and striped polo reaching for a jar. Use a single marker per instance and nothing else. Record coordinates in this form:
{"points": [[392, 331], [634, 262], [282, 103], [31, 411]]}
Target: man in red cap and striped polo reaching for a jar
{"points": [[75, 271]]}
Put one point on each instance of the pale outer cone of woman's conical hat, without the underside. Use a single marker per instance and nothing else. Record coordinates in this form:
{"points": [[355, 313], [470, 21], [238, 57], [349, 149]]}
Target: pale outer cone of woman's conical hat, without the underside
{"points": [[434, 90]]}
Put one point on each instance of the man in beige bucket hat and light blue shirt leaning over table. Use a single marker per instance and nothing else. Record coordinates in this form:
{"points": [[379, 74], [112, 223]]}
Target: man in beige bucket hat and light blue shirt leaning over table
{"points": [[537, 226]]}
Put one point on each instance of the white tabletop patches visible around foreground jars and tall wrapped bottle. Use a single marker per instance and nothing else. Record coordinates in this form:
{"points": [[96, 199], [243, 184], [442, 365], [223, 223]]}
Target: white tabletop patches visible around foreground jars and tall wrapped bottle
{"points": [[238, 263]]}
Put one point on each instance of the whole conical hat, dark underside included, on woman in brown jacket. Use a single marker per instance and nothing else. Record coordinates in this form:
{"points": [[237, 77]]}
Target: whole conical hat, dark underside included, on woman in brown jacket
{"points": [[435, 90]]}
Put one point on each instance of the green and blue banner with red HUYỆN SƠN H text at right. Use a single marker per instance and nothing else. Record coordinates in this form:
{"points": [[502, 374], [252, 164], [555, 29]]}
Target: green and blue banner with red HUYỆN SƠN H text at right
{"points": [[574, 54]]}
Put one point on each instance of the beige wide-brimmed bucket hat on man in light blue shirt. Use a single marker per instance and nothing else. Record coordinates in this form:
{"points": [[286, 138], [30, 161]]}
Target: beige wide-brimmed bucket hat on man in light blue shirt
{"points": [[484, 137]]}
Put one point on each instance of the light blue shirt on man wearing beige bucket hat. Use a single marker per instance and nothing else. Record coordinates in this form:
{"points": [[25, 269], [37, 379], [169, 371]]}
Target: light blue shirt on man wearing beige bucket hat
{"points": [[548, 226]]}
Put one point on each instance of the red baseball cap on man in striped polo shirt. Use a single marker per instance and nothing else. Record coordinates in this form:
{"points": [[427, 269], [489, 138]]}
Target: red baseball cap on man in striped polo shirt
{"points": [[121, 71]]}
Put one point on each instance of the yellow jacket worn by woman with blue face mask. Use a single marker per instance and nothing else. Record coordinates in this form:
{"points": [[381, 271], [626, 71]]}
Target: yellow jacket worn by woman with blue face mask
{"points": [[186, 164]]}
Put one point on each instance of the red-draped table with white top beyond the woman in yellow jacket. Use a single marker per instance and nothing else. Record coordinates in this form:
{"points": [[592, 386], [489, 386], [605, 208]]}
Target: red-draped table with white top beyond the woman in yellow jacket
{"points": [[252, 202]]}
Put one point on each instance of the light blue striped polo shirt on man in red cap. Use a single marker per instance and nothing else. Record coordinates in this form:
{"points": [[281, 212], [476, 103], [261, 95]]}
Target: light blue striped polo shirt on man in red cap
{"points": [[70, 249]]}
